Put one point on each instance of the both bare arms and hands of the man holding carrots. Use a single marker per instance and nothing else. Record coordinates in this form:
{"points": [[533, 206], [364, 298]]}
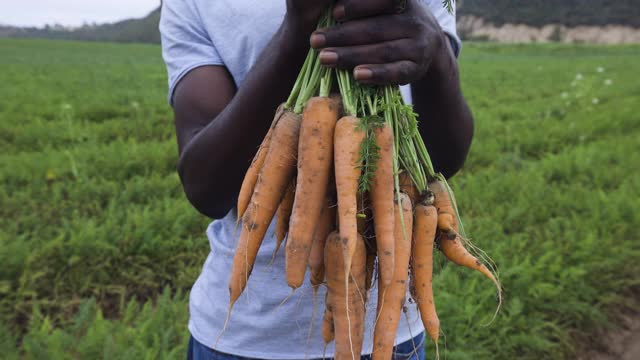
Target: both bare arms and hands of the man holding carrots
{"points": [[220, 127]]}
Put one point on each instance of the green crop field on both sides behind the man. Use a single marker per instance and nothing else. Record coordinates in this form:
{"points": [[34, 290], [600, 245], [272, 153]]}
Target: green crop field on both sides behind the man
{"points": [[99, 248]]}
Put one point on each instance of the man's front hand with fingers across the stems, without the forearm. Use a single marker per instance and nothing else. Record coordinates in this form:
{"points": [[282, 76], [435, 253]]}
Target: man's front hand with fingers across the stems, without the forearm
{"points": [[381, 44]]}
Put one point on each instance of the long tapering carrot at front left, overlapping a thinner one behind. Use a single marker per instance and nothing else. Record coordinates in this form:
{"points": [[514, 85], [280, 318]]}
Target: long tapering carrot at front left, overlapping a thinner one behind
{"points": [[275, 175]]}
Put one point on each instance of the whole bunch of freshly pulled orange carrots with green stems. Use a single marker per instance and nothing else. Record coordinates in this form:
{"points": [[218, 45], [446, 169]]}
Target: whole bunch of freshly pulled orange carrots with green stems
{"points": [[354, 194]]}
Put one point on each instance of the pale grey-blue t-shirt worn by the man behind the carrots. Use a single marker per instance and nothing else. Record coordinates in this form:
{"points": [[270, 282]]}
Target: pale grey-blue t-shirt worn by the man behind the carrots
{"points": [[233, 33]]}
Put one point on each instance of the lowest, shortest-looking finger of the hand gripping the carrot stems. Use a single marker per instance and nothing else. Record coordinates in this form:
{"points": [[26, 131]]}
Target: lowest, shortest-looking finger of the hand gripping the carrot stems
{"points": [[397, 73]]}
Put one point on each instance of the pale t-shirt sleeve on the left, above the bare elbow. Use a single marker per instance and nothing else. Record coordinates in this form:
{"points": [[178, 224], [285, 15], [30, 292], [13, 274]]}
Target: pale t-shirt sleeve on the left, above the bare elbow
{"points": [[185, 42]]}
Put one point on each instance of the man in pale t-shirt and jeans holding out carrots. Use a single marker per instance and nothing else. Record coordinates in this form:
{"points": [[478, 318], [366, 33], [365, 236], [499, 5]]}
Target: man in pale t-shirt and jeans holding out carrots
{"points": [[230, 64]]}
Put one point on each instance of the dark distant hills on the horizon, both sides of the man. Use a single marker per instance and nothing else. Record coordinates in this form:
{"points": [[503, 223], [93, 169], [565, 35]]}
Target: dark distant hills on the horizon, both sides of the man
{"points": [[535, 13]]}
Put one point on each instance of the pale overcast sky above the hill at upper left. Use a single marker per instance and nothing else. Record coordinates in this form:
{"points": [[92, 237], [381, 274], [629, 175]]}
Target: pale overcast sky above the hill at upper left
{"points": [[71, 12]]}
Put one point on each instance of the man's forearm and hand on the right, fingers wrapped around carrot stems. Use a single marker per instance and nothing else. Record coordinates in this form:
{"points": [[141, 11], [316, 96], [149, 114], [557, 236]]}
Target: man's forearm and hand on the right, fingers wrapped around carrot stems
{"points": [[387, 45]]}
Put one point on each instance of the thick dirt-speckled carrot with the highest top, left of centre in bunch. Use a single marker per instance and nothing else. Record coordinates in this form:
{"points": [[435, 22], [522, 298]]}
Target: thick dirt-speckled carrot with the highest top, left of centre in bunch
{"points": [[315, 158]]}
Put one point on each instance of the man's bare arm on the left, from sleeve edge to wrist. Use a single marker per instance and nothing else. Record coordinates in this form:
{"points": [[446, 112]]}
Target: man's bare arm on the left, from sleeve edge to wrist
{"points": [[219, 128]]}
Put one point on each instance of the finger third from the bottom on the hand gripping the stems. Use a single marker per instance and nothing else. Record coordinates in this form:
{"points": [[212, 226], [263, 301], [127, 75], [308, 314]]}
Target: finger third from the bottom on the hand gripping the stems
{"points": [[363, 32]]}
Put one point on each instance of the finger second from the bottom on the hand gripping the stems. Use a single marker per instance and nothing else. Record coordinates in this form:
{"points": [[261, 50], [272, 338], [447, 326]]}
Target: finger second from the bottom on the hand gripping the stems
{"points": [[380, 53]]}
